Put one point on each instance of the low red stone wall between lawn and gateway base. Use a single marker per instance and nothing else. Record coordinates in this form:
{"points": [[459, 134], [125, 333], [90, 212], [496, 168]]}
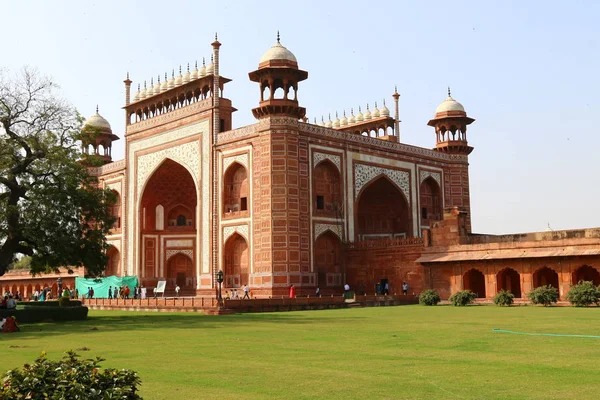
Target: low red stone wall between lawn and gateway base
{"points": [[210, 305]]}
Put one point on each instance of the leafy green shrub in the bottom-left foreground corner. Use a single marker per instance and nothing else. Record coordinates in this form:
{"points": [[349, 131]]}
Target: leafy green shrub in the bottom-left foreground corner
{"points": [[69, 378]]}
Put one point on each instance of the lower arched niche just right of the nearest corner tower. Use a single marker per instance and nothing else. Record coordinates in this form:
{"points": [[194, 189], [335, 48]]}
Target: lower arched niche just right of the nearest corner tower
{"points": [[328, 260]]}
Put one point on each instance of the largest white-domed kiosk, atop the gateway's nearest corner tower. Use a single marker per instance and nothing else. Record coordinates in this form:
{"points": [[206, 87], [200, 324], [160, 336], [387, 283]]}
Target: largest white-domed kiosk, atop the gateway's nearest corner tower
{"points": [[278, 71]]}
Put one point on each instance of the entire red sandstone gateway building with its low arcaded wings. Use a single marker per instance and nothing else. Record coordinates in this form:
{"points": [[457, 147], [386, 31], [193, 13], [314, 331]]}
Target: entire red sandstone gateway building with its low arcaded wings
{"points": [[287, 202]]}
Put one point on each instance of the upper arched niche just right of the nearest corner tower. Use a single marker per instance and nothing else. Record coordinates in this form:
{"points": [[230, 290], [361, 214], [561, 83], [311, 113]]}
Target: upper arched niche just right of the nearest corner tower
{"points": [[327, 191]]}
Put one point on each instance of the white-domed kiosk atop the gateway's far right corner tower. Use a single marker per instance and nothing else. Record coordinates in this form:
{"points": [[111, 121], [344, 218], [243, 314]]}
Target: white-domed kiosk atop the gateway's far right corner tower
{"points": [[450, 123]]}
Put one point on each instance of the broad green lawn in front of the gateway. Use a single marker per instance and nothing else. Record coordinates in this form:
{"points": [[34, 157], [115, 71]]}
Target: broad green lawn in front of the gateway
{"points": [[407, 352]]}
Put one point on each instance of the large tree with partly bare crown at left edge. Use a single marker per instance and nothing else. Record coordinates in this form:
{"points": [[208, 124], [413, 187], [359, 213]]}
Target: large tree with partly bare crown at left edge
{"points": [[50, 207]]}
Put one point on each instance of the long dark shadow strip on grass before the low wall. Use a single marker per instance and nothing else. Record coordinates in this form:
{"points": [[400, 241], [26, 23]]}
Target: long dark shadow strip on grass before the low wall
{"points": [[140, 321]]}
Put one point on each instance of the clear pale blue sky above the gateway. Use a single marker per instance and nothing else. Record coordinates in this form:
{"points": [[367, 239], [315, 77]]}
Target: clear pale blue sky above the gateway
{"points": [[527, 71]]}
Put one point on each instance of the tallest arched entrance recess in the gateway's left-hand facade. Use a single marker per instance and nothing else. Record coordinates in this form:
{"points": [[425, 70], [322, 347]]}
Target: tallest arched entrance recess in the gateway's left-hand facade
{"points": [[167, 218]]}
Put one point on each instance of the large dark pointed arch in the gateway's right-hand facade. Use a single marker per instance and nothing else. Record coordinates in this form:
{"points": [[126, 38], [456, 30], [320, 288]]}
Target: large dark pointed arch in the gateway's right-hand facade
{"points": [[383, 211]]}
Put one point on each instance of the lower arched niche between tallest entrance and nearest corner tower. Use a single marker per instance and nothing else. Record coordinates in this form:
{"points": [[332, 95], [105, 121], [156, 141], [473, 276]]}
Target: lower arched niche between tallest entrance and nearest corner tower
{"points": [[236, 262]]}
